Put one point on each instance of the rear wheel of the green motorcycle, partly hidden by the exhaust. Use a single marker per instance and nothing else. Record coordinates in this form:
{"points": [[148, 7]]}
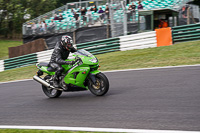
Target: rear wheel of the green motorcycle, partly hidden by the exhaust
{"points": [[49, 92]]}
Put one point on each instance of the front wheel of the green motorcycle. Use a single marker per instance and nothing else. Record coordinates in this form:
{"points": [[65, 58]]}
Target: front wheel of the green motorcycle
{"points": [[101, 86]]}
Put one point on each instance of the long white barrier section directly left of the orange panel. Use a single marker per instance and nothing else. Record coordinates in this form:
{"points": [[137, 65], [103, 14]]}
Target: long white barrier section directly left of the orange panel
{"points": [[138, 41]]}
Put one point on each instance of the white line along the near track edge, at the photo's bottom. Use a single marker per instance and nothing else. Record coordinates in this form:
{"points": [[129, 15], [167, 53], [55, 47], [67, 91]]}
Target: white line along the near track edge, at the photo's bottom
{"points": [[89, 129]]}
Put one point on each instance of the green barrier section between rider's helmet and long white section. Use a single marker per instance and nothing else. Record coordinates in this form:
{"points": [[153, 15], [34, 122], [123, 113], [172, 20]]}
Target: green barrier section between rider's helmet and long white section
{"points": [[101, 46]]}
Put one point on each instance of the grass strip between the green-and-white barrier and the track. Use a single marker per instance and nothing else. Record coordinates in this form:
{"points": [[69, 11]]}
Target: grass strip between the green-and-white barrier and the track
{"points": [[187, 53]]}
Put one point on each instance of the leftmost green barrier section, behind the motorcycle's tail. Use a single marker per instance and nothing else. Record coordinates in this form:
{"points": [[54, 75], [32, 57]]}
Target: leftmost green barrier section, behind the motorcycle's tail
{"points": [[20, 61]]}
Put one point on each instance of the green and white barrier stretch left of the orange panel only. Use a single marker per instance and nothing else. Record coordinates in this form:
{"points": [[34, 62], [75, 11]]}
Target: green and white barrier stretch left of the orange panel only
{"points": [[136, 41]]}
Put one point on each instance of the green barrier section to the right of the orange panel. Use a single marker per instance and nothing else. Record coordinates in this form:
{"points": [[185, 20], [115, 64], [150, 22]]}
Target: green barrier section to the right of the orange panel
{"points": [[186, 32]]}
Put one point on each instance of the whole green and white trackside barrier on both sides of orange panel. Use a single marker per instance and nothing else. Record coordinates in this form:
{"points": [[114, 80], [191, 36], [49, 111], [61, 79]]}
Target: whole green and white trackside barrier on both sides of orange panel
{"points": [[122, 43]]}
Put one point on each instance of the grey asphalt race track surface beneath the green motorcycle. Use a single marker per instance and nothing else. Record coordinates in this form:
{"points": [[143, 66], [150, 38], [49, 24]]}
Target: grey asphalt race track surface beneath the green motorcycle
{"points": [[167, 99]]}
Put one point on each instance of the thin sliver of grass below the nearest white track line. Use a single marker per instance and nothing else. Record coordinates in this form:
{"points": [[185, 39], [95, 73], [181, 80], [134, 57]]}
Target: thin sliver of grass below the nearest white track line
{"points": [[37, 131]]}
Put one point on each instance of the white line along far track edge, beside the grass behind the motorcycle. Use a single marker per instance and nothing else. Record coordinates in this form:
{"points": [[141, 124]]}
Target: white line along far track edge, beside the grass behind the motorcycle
{"points": [[153, 68]]}
